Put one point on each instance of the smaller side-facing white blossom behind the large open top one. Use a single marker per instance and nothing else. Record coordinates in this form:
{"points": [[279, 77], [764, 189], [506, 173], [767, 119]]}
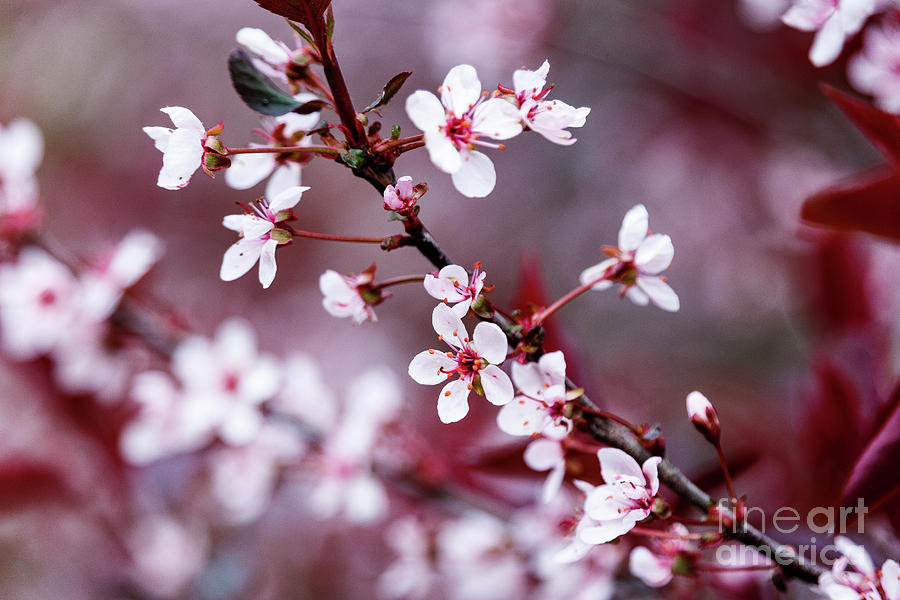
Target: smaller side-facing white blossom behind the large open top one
{"points": [[550, 118]]}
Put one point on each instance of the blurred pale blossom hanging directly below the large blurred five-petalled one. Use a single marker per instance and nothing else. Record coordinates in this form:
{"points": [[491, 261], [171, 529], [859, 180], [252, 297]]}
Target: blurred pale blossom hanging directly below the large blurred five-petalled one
{"points": [[243, 478]]}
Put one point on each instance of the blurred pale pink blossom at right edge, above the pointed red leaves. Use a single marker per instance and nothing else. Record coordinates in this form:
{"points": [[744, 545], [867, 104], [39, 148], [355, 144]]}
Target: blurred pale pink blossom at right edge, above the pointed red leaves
{"points": [[874, 70]]}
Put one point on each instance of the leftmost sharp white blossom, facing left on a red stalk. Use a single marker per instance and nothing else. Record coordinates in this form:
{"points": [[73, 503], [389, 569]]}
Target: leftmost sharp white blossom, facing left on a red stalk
{"points": [[183, 148]]}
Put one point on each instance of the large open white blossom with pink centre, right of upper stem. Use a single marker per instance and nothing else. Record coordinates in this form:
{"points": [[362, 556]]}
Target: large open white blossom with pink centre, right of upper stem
{"points": [[454, 125]]}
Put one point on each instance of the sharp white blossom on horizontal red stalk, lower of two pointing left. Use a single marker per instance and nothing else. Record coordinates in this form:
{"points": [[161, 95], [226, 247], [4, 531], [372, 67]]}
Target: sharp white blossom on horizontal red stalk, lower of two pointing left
{"points": [[260, 235]]}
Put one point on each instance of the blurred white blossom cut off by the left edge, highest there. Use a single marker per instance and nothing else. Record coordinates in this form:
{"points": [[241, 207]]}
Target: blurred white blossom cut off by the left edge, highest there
{"points": [[21, 151]]}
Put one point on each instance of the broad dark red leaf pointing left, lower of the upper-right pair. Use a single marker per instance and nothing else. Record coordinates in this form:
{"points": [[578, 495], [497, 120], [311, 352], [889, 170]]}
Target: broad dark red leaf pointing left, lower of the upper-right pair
{"points": [[868, 203]]}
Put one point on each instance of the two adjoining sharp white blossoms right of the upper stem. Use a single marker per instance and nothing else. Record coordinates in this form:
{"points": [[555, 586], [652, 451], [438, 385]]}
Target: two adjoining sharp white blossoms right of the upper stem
{"points": [[455, 124]]}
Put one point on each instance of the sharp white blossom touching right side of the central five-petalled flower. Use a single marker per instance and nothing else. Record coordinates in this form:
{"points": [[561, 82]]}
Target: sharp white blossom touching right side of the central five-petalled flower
{"points": [[539, 407]]}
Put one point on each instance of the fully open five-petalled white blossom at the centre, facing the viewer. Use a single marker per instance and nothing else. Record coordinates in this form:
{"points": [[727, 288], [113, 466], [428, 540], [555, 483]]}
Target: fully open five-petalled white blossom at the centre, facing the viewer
{"points": [[474, 360]]}
